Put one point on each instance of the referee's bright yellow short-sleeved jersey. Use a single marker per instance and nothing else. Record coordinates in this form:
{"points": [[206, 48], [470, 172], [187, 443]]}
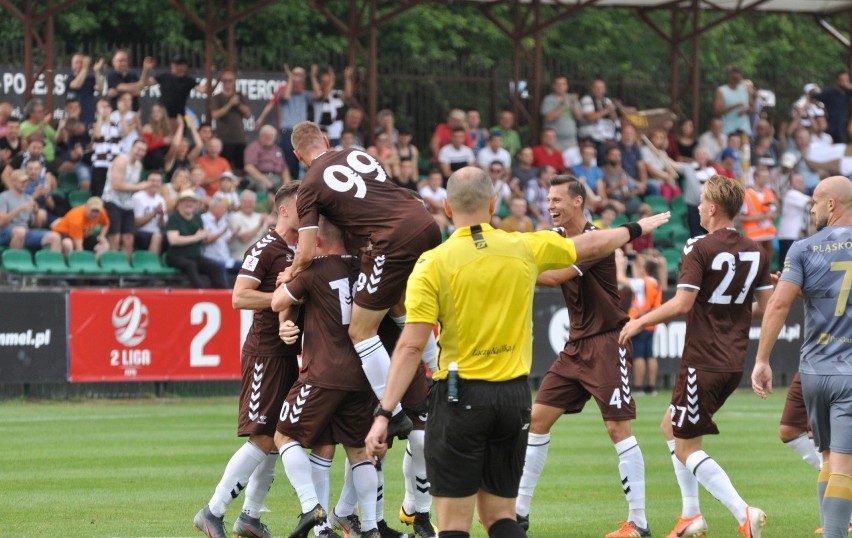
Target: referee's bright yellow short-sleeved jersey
{"points": [[479, 286]]}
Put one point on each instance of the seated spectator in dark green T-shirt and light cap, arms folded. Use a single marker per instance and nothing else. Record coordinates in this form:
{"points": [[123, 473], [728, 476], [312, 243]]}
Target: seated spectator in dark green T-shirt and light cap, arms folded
{"points": [[186, 235]]}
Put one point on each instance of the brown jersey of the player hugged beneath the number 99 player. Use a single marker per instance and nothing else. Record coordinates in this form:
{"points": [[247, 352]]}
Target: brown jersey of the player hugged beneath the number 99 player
{"points": [[328, 358]]}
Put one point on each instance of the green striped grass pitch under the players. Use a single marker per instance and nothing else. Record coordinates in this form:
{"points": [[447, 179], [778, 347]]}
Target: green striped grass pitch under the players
{"points": [[143, 468]]}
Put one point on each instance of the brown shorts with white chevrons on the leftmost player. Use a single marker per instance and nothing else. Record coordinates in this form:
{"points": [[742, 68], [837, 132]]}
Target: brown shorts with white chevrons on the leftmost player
{"points": [[265, 383]]}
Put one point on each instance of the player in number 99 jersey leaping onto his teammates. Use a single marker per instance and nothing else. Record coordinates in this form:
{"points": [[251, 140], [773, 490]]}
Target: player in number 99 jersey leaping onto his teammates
{"points": [[388, 224]]}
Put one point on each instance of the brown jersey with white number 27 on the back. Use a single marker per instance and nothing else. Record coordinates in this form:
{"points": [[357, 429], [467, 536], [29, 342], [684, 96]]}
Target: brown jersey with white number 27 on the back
{"points": [[725, 269]]}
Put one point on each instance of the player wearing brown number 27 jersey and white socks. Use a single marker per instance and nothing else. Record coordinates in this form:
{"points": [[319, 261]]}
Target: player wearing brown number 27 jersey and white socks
{"points": [[721, 273]]}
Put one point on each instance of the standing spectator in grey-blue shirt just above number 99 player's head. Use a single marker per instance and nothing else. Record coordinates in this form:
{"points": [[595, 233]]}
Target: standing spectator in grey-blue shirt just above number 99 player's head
{"points": [[291, 101]]}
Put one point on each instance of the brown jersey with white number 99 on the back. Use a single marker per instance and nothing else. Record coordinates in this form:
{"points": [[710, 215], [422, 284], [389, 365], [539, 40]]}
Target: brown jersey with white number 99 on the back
{"points": [[352, 190]]}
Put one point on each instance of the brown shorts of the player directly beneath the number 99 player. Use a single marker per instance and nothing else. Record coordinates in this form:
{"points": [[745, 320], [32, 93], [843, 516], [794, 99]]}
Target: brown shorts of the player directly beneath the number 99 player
{"points": [[317, 416]]}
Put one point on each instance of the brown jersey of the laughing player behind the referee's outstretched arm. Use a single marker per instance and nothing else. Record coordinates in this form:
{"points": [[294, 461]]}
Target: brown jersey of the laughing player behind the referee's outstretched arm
{"points": [[594, 306]]}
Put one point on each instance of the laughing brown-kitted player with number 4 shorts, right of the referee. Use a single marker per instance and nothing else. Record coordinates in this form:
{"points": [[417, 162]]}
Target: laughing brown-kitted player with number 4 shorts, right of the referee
{"points": [[592, 364]]}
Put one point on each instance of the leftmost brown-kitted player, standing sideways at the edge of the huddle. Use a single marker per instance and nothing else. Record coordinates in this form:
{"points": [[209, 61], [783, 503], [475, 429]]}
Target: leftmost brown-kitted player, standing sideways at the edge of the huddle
{"points": [[269, 369]]}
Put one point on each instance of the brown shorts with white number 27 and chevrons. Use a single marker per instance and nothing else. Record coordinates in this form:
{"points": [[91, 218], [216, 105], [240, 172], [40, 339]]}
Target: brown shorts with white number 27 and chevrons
{"points": [[697, 395]]}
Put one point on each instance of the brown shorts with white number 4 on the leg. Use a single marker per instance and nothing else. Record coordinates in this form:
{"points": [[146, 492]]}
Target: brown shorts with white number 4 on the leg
{"points": [[592, 367]]}
